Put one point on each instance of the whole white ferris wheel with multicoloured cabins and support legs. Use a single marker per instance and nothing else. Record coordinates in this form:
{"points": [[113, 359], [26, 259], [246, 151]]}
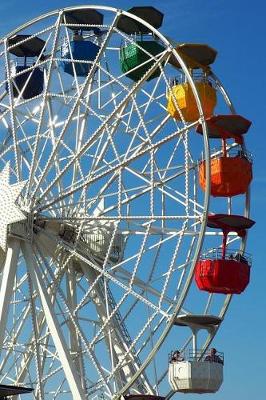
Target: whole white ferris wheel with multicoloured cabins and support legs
{"points": [[109, 195]]}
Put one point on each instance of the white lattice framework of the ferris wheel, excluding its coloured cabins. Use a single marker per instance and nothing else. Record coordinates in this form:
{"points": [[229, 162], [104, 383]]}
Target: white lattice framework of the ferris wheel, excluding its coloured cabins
{"points": [[101, 215]]}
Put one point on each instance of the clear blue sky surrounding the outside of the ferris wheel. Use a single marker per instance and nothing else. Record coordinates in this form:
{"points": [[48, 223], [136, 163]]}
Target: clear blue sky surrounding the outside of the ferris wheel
{"points": [[237, 30]]}
